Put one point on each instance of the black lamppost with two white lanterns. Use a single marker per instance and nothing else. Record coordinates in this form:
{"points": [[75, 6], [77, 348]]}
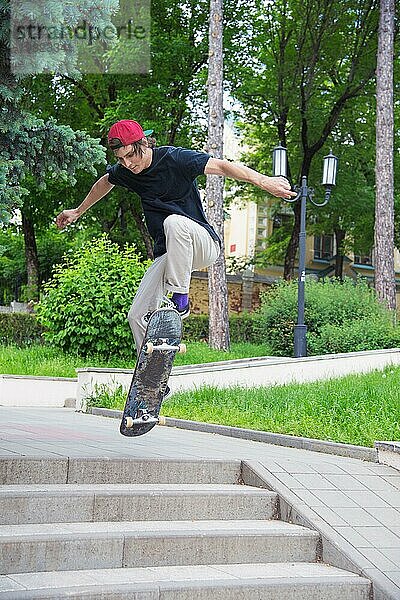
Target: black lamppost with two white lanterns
{"points": [[279, 164]]}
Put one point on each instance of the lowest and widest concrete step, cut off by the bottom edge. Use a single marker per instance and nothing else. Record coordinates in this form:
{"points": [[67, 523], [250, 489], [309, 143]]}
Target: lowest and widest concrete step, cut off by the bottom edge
{"points": [[271, 581]]}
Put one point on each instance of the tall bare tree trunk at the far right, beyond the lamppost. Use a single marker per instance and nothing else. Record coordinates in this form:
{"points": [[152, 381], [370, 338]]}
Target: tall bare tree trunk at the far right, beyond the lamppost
{"points": [[385, 283]]}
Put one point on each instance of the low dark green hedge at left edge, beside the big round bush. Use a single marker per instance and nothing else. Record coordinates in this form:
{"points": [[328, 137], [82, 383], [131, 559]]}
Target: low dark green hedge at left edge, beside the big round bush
{"points": [[21, 329]]}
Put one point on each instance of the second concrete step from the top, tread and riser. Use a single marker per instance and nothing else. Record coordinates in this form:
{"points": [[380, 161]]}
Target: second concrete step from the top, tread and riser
{"points": [[66, 503]]}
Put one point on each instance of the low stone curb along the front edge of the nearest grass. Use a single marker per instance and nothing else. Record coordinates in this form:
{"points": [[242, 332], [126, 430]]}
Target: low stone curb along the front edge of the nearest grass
{"points": [[278, 439]]}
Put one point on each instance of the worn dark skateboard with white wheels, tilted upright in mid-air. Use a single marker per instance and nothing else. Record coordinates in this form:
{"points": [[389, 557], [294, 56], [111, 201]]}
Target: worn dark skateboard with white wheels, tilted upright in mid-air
{"points": [[161, 343]]}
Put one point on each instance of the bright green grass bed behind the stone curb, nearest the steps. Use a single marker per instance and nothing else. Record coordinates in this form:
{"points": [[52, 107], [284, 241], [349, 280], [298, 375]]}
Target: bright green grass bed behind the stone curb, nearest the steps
{"points": [[356, 409]]}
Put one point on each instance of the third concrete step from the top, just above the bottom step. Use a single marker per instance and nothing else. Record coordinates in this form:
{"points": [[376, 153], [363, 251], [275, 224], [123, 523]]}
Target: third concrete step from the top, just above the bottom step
{"points": [[110, 545]]}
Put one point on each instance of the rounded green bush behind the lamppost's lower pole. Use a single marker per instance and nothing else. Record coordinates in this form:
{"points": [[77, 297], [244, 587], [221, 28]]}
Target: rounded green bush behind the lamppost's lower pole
{"points": [[340, 317]]}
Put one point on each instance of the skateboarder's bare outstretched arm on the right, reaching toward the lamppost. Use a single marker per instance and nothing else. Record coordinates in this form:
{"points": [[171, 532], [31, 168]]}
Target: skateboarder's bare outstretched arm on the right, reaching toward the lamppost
{"points": [[277, 186]]}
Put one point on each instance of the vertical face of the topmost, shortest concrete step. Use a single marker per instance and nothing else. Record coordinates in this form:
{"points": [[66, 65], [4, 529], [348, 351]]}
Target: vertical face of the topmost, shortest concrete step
{"points": [[30, 470]]}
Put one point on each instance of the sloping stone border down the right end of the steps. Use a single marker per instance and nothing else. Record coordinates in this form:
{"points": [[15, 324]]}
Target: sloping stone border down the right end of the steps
{"points": [[336, 550]]}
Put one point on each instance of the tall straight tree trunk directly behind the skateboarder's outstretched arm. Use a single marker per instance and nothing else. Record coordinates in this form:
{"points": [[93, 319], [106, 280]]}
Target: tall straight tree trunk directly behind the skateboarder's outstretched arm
{"points": [[217, 284]]}
